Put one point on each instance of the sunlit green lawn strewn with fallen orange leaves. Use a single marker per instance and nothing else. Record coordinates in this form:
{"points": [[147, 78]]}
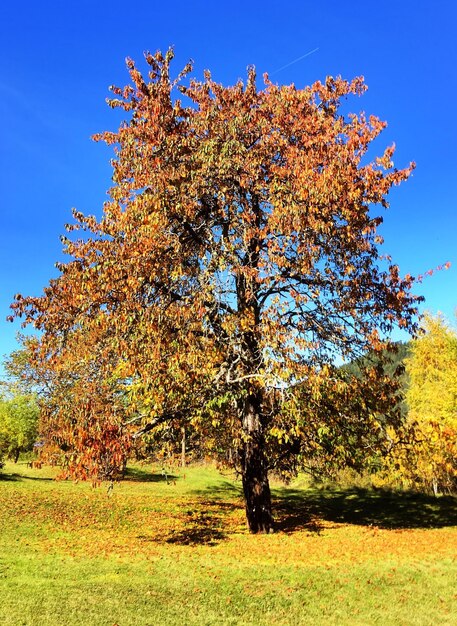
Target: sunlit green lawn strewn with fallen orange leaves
{"points": [[152, 553]]}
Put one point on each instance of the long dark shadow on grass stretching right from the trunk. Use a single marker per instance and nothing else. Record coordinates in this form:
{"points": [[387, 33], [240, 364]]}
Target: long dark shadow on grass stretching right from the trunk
{"points": [[299, 510]]}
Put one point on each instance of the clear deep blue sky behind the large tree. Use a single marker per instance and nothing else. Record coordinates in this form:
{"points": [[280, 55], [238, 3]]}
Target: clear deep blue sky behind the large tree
{"points": [[58, 59]]}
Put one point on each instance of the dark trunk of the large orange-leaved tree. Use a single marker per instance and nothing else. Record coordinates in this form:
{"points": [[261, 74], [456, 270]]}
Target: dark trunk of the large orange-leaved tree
{"points": [[254, 469]]}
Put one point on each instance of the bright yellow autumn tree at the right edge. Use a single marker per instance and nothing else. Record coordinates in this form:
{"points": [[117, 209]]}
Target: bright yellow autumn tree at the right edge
{"points": [[430, 461]]}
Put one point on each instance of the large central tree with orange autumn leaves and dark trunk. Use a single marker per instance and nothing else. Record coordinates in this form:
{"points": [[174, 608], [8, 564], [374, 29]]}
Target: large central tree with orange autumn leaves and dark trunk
{"points": [[236, 257]]}
